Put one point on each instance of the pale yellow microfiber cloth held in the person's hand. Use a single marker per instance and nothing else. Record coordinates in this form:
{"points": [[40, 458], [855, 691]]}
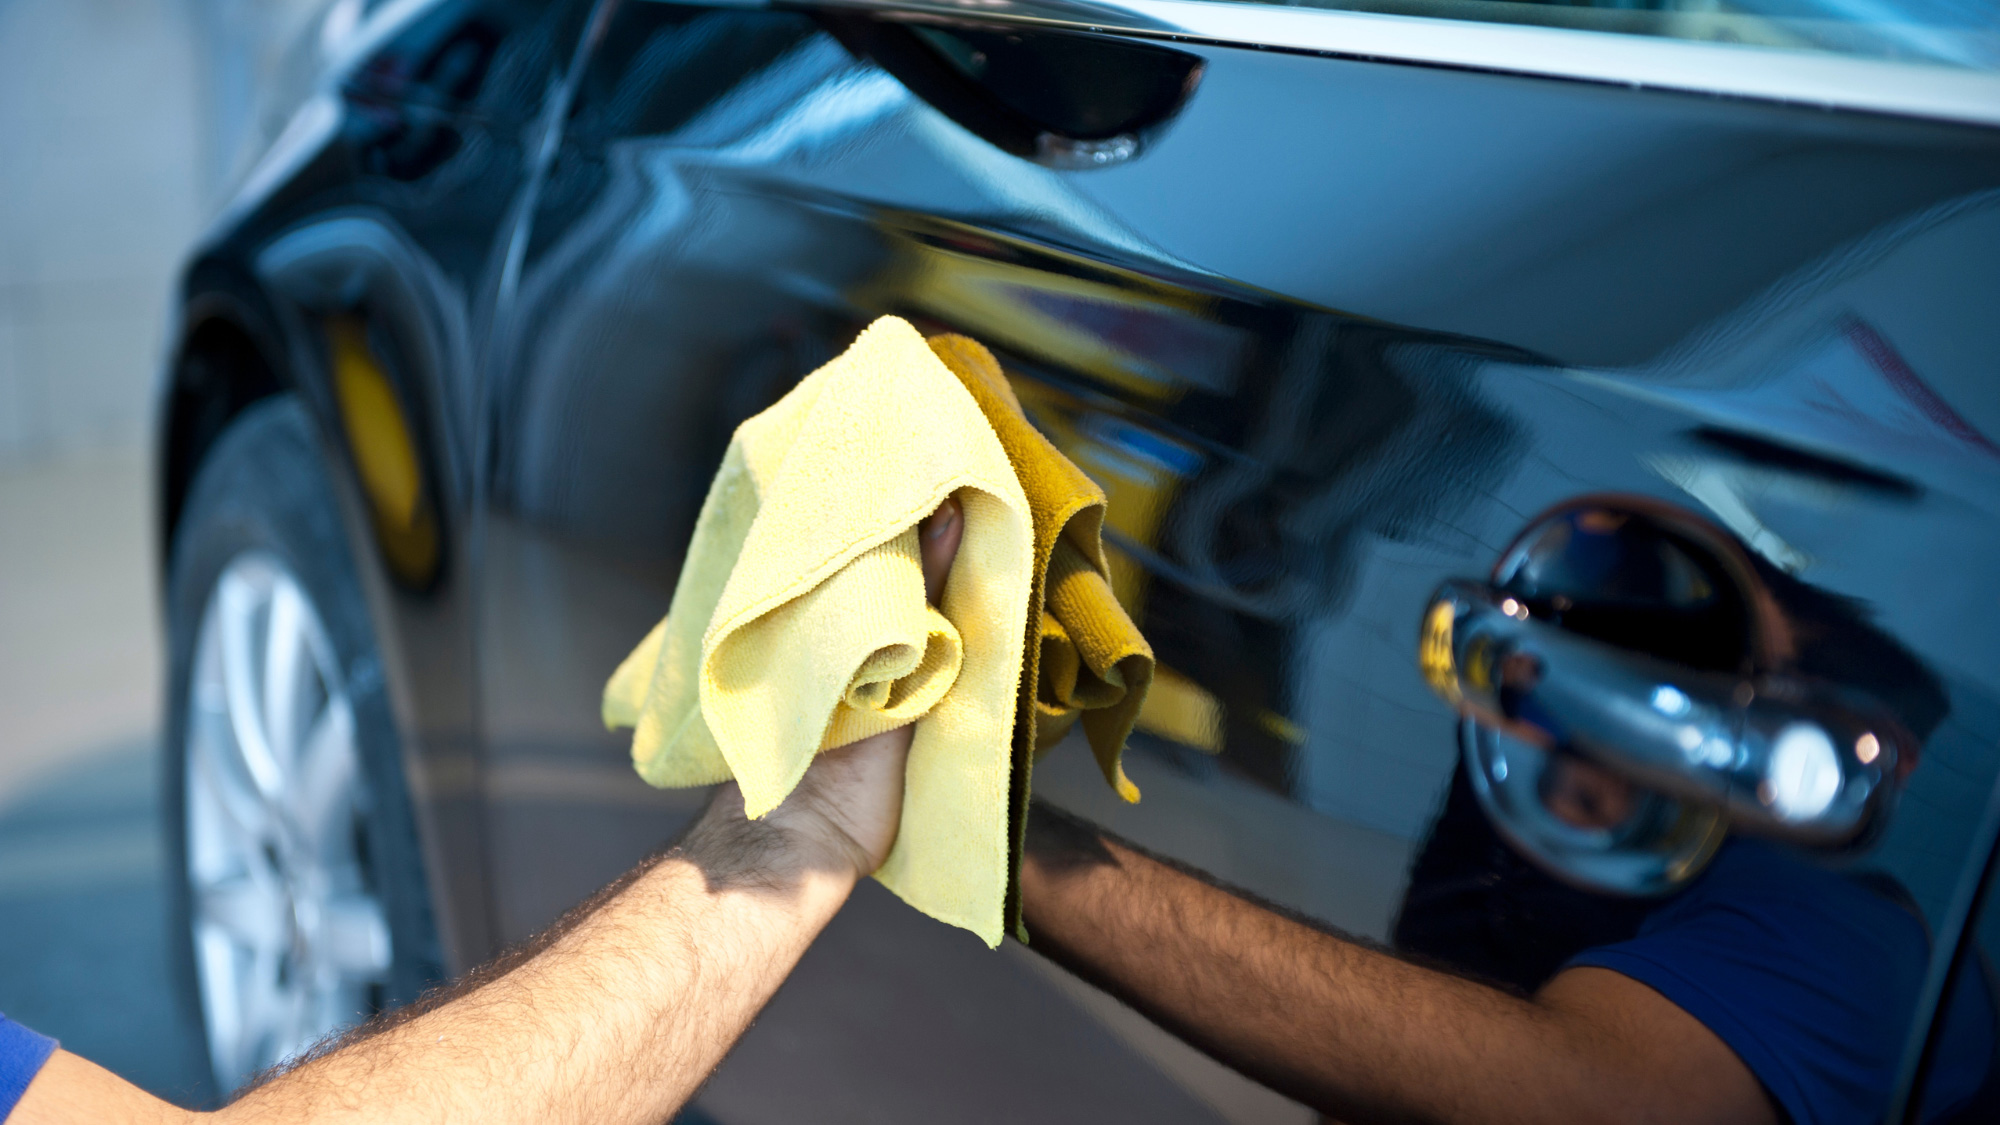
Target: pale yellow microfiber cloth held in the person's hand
{"points": [[799, 622]]}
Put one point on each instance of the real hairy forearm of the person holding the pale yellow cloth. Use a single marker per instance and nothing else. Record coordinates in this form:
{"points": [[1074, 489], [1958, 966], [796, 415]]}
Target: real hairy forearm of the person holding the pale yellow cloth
{"points": [[617, 1020]]}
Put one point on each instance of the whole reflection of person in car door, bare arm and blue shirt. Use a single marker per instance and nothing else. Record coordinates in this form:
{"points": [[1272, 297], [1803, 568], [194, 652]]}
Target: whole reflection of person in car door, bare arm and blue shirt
{"points": [[1767, 990]]}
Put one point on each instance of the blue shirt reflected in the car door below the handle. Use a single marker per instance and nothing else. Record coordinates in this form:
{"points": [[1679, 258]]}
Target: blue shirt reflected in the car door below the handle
{"points": [[1811, 978]]}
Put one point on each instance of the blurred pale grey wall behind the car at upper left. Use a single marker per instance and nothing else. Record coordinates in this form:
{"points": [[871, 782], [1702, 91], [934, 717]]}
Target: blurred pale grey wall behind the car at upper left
{"points": [[123, 127]]}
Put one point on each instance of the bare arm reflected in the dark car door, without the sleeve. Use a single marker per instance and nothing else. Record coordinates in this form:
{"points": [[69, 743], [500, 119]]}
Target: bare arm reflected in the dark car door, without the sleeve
{"points": [[1355, 1032]]}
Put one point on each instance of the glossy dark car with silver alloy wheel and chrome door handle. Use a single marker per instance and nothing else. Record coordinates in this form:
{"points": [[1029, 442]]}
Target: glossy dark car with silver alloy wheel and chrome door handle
{"points": [[1553, 451]]}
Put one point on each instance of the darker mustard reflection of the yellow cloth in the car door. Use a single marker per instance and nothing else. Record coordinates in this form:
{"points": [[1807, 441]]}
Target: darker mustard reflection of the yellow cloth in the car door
{"points": [[1085, 658]]}
